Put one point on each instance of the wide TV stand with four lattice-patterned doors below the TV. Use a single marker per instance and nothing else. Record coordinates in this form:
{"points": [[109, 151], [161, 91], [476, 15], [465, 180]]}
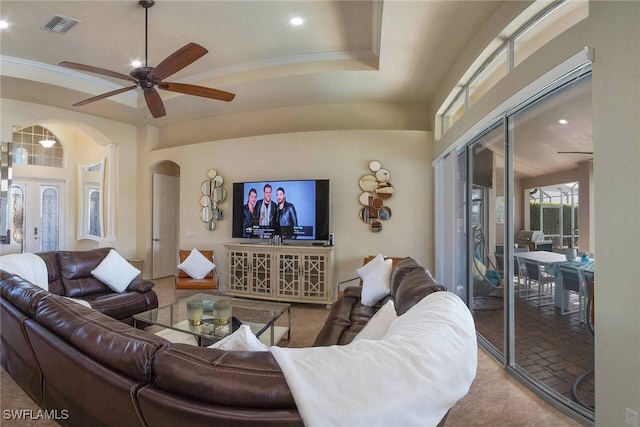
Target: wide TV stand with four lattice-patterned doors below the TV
{"points": [[281, 273]]}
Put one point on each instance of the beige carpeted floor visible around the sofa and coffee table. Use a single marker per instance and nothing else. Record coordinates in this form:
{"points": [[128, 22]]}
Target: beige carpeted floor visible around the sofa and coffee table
{"points": [[495, 399]]}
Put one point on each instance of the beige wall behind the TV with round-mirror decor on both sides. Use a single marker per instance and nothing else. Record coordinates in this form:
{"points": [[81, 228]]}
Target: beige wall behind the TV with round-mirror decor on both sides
{"points": [[340, 156]]}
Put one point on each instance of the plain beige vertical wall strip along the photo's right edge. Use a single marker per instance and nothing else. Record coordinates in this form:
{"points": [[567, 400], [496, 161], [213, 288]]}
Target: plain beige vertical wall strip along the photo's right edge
{"points": [[616, 109]]}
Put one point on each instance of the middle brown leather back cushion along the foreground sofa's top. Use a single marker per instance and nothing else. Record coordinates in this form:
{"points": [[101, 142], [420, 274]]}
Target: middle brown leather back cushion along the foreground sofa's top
{"points": [[114, 344]]}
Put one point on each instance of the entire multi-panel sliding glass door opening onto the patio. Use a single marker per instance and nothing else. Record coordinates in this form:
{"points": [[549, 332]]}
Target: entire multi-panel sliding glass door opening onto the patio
{"points": [[527, 317]]}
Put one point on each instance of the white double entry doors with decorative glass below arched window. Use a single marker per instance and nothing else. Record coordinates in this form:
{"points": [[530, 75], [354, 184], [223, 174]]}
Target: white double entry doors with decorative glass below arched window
{"points": [[37, 214]]}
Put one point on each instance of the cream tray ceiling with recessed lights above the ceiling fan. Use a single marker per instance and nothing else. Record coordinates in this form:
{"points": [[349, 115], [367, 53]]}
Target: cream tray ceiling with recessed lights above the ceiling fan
{"points": [[394, 52]]}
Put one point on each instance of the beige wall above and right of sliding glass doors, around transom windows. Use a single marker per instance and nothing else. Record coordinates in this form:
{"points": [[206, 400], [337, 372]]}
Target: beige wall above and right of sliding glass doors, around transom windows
{"points": [[613, 31]]}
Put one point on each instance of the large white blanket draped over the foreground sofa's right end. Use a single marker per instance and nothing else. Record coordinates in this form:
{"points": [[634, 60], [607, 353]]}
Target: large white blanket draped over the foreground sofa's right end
{"points": [[411, 377]]}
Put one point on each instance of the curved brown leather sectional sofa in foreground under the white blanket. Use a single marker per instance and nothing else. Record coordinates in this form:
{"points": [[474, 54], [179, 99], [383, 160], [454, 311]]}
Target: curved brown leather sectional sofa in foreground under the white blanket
{"points": [[95, 370]]}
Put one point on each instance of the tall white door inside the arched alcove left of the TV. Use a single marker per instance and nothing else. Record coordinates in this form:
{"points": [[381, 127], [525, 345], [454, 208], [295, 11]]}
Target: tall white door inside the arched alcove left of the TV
{"points": [[165, 225]]}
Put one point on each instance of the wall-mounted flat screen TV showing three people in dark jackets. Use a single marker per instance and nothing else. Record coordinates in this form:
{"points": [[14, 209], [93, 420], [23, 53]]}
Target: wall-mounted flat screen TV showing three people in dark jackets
{"points": [[296, 210]]}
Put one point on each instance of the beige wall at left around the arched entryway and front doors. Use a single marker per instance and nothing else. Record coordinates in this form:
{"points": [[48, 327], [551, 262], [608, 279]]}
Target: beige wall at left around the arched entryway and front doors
{"points": [[84, 138]]}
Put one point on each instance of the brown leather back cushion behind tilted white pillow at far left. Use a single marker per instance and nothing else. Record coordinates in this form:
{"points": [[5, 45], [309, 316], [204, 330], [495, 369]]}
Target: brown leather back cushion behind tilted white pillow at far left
{"points": [[75, 270]]}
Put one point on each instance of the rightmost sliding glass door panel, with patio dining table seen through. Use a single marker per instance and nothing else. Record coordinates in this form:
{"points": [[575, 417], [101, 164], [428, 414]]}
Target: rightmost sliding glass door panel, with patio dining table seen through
{"points": [[553, 160]]}
